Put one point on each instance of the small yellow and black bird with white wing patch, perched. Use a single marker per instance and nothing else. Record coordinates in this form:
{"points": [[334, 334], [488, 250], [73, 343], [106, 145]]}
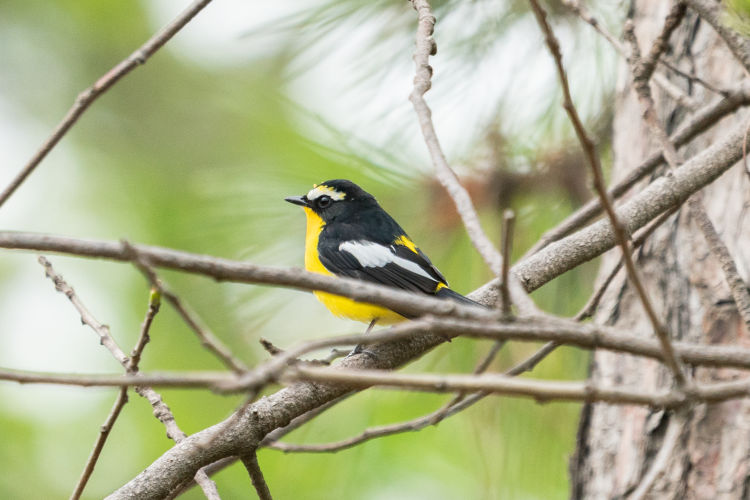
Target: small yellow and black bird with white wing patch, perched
{"points": [[349, 234]]}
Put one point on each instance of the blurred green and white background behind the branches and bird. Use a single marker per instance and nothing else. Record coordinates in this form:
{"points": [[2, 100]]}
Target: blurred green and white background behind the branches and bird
{"points": [[196, 151]]}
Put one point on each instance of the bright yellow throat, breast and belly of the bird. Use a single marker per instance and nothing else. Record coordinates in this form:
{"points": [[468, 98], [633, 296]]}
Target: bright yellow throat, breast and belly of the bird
{"points": [[338, 305]]}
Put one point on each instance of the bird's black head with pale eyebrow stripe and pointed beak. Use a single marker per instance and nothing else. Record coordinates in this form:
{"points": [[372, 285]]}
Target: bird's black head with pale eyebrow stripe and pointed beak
{"points": [[333, 198]]}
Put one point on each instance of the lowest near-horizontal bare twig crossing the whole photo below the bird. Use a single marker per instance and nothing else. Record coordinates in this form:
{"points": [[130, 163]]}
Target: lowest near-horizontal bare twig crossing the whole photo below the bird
{"points": [[348, 379]]}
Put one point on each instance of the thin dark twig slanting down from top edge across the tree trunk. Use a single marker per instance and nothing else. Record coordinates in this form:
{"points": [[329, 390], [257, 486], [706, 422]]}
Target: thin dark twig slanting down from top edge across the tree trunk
{"points": [[671, 359]]}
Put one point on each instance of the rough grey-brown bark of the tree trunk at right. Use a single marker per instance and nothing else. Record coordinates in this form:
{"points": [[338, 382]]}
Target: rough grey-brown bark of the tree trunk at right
{"points": [[617, 444]]}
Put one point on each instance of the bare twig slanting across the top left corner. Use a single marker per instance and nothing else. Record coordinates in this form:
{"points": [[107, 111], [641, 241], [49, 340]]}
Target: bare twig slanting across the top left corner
{"points": [[104, 83]]}
